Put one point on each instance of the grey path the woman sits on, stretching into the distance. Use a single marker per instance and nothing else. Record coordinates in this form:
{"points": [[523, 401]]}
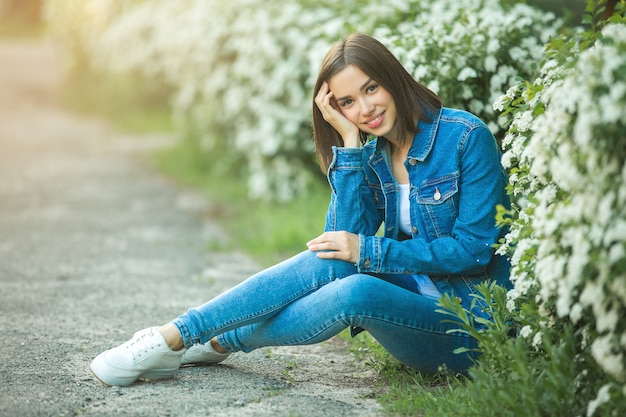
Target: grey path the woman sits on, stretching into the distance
{"points": [[95, 245]]}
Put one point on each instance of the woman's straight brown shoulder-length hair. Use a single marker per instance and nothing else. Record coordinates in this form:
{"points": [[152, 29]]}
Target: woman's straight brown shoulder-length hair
{"points": [[375, 60]]}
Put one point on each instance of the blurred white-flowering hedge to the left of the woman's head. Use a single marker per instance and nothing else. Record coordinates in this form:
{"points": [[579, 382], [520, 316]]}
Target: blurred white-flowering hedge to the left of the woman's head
{"points": [[243, 81]]}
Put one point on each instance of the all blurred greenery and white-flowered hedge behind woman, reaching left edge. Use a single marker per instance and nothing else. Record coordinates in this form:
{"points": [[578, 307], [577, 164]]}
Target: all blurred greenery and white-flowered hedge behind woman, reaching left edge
{"points": [[233, 78]]}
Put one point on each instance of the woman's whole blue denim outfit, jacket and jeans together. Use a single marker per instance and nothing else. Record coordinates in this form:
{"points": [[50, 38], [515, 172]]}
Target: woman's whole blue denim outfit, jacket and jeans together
{"points": [[456, 181]]}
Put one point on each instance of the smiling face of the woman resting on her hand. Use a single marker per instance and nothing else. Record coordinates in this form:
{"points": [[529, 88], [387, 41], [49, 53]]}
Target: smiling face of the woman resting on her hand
{"points": [[364, 102]]}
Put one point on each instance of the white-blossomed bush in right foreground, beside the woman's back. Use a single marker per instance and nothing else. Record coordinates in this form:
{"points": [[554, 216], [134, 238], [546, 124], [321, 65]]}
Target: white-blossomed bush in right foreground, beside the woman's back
{"points": [[568, 144]]}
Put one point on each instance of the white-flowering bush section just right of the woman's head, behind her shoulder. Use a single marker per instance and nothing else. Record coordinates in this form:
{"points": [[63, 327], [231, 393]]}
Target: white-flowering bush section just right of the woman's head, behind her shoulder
{"points": [[470, 51]]}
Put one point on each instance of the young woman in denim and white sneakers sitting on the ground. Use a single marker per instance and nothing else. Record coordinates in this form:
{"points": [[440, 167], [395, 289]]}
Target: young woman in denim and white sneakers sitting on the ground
{"points": [[431, 176]]}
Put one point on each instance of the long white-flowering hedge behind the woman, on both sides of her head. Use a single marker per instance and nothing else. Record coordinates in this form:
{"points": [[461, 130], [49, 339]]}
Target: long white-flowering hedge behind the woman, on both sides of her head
{"points": [[243, 70]]}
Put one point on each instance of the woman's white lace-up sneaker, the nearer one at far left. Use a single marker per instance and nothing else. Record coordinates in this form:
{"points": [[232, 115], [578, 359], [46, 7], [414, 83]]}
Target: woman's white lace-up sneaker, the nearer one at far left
{"points": [[146, 355]]}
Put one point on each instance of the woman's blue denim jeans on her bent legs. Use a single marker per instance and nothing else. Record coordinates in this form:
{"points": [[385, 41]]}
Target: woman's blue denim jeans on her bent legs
{"points": [[306, 300]]}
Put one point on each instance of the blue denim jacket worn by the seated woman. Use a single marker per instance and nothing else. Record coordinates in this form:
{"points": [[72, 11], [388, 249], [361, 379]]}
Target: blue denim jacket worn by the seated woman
{"points": [[456, 181]]}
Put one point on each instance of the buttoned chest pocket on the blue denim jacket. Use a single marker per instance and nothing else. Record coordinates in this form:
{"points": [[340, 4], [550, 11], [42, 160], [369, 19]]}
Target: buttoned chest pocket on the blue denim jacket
{"points": [[438, 204]]}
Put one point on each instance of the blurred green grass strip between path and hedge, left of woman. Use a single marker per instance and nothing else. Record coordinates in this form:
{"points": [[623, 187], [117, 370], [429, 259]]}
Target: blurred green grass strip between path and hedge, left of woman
{"points": [[269, 231]]}
